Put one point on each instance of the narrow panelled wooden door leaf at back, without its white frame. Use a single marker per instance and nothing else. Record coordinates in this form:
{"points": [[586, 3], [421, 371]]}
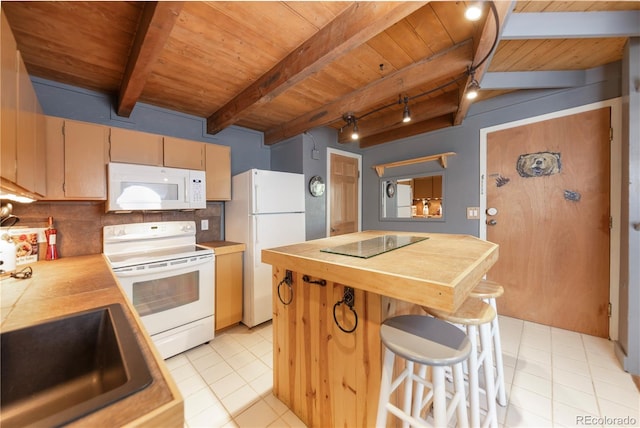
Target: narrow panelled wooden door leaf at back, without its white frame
{"points": [[343, 191]]}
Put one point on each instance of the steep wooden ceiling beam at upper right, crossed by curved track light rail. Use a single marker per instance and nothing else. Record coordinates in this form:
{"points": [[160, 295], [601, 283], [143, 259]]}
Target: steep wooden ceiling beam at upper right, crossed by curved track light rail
{"points": [[483, 48]]}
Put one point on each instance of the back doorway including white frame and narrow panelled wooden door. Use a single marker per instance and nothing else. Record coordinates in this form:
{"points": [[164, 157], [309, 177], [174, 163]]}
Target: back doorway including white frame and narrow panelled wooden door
{"points": [[344, 184]]}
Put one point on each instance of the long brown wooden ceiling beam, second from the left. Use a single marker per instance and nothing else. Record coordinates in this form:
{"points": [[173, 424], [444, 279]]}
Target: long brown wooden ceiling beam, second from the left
{"points": [[355, 26]]}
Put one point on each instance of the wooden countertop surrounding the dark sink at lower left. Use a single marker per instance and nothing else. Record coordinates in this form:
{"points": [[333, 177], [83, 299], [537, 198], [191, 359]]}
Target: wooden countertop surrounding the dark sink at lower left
{"points": [[74, 284]]}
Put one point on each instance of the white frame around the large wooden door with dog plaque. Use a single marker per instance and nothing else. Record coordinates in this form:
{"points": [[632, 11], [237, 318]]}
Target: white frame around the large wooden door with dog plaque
{"points": [[615, 189]]}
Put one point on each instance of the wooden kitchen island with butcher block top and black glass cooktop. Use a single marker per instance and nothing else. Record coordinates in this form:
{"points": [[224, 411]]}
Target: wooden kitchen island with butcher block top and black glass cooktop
{"points": [[328, 307]]}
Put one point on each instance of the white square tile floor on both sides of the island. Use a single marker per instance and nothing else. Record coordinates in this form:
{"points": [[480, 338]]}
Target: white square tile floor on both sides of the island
{"points": [[554, 378]]}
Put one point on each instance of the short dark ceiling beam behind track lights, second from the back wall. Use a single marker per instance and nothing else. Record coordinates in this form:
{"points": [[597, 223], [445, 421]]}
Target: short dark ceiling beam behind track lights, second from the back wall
{"points": [[420, 111]]}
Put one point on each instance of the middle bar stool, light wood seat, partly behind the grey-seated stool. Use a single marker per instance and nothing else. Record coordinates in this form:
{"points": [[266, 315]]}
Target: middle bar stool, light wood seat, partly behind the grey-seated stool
{"points": [[476, 316]]}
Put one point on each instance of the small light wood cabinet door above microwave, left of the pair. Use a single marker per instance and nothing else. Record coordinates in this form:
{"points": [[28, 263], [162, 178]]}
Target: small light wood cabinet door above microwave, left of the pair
{"points": [[129, 146]]}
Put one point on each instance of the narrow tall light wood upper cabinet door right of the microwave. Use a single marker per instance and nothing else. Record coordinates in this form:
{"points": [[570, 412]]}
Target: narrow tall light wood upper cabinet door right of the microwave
{"points": [[218, 169]]}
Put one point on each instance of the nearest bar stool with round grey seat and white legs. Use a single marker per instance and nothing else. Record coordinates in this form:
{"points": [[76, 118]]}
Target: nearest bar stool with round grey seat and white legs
{"points": [[428, 342]]}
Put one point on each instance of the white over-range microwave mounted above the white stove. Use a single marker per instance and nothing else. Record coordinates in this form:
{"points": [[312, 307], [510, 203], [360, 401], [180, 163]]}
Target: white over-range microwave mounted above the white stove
{"points": [[151, 188]]}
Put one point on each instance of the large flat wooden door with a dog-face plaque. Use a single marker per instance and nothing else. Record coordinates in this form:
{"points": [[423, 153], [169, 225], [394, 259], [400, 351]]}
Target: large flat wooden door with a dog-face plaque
{"points": [[549, 182]]}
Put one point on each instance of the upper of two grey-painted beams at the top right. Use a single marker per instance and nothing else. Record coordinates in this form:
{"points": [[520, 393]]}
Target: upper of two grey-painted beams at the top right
{"points": [[572, 25]]}
